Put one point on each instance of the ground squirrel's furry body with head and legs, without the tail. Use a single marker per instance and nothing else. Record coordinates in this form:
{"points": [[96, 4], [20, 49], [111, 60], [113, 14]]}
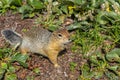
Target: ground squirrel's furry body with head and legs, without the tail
{"points": [[49, 47]]}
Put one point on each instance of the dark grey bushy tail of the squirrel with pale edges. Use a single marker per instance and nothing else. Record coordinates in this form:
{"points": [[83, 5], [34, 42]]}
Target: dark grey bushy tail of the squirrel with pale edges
{"points": [[12, 37]]}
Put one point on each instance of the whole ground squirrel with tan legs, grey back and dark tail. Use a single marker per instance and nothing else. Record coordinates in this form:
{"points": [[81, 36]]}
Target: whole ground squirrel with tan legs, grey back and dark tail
{"points": [[39, 40]]}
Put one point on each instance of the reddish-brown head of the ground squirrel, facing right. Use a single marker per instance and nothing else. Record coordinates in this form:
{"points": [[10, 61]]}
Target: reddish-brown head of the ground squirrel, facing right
{"points": [[62, 36]]}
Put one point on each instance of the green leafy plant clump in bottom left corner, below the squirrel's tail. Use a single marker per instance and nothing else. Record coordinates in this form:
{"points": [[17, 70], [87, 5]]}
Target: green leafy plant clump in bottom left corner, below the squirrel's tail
{"points": [[7, 69]]}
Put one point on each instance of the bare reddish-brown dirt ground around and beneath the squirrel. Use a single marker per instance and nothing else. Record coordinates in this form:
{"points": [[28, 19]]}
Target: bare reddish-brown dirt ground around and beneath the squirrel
{"points": [[47, 71]]}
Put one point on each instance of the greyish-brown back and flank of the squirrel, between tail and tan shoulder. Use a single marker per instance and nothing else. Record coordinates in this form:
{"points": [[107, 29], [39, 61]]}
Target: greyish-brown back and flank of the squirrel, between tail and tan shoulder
{"points": [[35, 39]]}
